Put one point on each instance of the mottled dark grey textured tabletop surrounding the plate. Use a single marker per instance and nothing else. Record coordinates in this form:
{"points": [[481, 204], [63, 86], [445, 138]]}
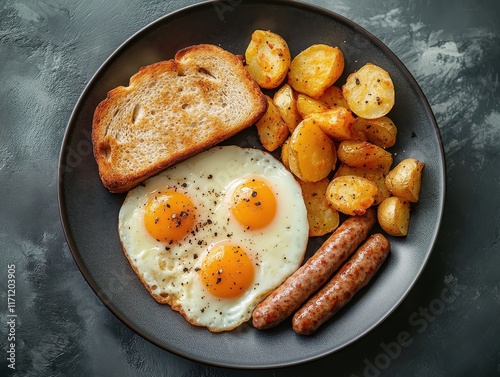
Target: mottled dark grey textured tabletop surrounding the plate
{"points": [[50, 49]]}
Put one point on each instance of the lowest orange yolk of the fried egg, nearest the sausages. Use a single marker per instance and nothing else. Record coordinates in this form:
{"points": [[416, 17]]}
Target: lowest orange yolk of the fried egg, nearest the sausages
{"points": [[227, 271]]}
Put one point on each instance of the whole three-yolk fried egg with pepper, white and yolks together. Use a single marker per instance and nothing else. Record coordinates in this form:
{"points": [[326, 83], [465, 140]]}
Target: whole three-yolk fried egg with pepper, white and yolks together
{"points": [[213, 235]]}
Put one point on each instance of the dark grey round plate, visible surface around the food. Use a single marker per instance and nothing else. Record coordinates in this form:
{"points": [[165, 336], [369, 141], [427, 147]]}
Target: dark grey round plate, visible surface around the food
{"points": [[89, 212]]}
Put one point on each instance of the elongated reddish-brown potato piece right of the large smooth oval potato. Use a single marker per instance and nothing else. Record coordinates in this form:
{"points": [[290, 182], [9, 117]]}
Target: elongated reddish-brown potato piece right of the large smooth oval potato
{"points": [[362, 154]]}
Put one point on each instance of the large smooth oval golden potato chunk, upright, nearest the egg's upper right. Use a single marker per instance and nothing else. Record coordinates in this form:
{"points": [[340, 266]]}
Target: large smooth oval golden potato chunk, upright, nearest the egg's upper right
{"points": [[312, 155]]}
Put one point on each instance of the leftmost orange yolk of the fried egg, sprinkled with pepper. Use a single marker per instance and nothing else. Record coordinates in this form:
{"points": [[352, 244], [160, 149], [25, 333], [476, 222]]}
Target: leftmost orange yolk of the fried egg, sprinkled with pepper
{"points": [[169, 216]]}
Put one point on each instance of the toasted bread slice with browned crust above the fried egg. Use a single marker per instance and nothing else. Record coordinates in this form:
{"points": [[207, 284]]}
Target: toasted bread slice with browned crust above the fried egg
{"points": [[170, 111]]}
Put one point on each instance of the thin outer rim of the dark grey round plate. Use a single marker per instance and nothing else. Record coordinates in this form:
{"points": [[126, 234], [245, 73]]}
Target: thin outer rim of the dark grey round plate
{"points": [[71, 126]]}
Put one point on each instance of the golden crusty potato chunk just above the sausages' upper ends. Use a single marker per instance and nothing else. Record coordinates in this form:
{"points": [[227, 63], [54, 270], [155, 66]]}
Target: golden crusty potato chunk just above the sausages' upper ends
{"points": [[351, 194]]}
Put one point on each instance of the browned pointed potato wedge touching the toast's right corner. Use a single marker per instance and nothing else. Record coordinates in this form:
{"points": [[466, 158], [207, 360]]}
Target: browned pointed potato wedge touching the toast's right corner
{"points": [[272, 130]]}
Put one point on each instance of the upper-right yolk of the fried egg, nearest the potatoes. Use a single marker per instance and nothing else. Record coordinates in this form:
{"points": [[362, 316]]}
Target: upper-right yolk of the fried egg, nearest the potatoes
{"points": [[253, 204]]}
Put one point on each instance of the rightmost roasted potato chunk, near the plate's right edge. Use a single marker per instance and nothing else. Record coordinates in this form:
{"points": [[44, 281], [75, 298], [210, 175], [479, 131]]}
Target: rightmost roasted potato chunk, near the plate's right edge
{"points": [[405, 179]]}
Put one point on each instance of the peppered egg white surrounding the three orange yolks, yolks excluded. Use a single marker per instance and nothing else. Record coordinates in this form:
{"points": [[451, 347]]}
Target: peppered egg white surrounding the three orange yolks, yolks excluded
{"points": [[169, 271]]}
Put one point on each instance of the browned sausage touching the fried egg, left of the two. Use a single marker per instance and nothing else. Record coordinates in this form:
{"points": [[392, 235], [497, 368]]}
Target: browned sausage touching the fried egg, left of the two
{"points": [[315, 272]]}
